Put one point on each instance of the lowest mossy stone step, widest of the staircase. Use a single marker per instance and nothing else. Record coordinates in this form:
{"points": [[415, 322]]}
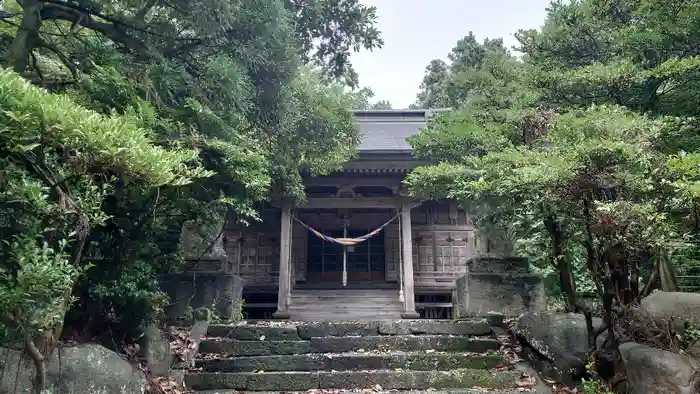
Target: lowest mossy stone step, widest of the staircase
{"points": [[386, 379]]}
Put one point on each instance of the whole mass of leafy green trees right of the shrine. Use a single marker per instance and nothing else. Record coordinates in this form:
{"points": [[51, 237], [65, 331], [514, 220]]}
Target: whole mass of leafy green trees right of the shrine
{"points": [[586, 148]]}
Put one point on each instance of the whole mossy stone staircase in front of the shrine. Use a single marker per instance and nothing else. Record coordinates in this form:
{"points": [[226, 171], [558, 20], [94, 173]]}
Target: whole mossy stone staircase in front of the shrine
{"points": [[380, 356]]}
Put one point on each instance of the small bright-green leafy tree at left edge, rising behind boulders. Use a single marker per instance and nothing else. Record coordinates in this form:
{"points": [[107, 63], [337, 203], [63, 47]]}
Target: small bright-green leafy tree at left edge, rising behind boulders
{"points": [[59, 161]]}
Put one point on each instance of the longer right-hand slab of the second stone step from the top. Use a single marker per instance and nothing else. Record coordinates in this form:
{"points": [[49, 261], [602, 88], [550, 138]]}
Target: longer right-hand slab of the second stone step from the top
{"points": [[402, 344]]}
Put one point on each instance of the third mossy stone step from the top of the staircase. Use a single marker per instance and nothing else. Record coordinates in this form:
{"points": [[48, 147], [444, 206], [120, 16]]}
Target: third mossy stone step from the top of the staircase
{"points": [[422, 361]]}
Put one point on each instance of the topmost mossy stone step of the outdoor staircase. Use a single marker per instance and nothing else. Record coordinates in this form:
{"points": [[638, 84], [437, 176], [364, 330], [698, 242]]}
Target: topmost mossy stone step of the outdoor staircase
{"points": [[306, 330]]}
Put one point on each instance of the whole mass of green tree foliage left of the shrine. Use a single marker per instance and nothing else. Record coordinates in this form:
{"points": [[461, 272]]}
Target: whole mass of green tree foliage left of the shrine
{"points": [[142, 116]]}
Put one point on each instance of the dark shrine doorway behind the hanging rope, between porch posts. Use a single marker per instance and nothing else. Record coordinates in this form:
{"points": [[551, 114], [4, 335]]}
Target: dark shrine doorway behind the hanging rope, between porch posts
{"points": [[365, 261]]}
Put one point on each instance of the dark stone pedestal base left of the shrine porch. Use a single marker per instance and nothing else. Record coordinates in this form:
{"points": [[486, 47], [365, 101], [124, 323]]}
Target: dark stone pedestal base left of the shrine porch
{"points": [[192, 290]]}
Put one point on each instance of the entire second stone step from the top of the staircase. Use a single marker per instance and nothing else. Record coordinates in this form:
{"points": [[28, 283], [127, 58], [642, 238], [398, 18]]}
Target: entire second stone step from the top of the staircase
{"points": [[404, 343]]}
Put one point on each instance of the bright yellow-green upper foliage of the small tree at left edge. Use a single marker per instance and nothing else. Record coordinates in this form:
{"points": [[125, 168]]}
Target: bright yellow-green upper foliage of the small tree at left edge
{"points": [[32, 120]]}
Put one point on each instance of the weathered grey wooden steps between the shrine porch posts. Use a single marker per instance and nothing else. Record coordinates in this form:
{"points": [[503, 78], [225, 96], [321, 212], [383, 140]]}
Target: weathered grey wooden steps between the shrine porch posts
{"points": [[345, 304]]}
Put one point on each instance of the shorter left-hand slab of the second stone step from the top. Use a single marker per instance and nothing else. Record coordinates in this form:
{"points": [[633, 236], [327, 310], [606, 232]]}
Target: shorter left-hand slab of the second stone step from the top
{"points": [[253, 348]]}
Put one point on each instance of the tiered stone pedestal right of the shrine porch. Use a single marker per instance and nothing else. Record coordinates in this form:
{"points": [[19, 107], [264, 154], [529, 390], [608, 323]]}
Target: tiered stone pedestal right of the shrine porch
{"points": [[498, 284]]}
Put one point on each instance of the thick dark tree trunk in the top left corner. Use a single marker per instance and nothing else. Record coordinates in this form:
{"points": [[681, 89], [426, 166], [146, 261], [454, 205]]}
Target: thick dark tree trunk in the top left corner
{"points": [[27, 32]]}
